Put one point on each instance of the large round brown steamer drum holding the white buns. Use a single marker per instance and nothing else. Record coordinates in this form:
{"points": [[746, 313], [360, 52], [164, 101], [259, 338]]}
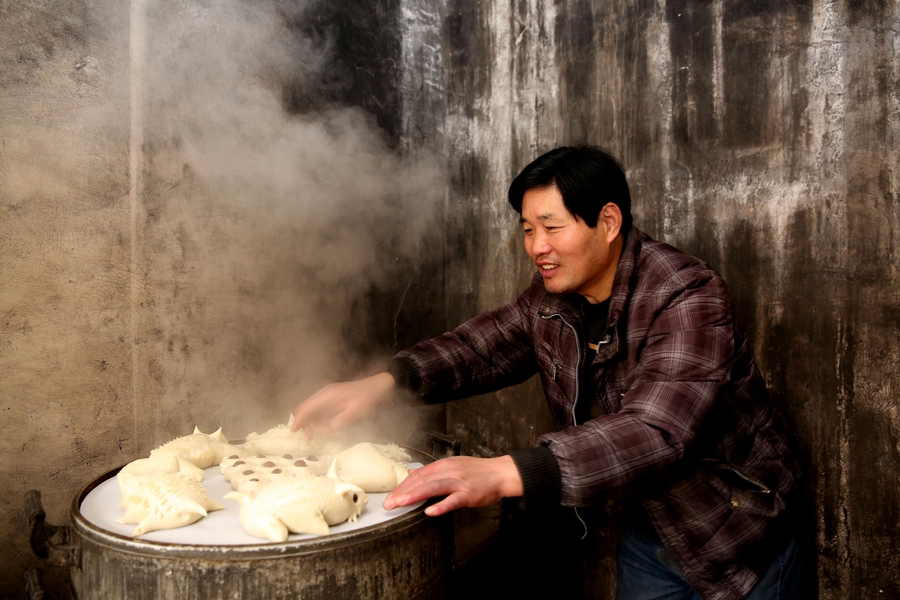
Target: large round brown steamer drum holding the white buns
{"points": [[410, 556]]}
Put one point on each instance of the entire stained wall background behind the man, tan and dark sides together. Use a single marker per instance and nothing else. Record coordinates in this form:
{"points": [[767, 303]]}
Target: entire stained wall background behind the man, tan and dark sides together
{"points": [[195, 220]]}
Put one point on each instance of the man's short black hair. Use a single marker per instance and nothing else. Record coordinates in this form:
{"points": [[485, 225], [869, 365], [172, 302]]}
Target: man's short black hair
{"points": [[587, 177]]}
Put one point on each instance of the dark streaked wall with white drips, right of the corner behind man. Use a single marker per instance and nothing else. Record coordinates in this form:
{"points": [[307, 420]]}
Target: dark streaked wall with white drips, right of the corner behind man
{"points": [[761, 136]]}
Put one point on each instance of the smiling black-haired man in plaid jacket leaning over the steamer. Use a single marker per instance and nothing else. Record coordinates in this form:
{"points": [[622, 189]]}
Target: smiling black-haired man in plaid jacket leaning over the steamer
{"points": [[651, 384]]}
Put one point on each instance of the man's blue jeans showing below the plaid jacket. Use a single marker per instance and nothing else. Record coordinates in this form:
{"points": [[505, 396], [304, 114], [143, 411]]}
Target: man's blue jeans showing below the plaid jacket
{"points": [[645, 571]]}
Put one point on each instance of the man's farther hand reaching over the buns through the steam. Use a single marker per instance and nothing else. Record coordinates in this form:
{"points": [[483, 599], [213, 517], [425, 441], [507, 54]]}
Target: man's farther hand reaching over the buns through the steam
{"points": [[339, 404]]}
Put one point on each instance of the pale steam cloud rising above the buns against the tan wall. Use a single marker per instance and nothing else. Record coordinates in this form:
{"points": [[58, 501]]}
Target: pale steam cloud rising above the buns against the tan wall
{"points": [[283, 222]]}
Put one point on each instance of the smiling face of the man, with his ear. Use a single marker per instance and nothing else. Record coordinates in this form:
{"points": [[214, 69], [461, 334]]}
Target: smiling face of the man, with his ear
{"points": [[571, 256]]}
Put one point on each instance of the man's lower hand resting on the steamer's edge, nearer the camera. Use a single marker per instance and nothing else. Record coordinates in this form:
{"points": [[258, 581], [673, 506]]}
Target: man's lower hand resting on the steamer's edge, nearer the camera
{"points": [[465, 480]]}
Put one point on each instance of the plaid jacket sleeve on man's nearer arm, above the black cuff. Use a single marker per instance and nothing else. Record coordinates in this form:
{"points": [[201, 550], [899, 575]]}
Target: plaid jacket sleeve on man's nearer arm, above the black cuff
{"points": [[680, 336]]}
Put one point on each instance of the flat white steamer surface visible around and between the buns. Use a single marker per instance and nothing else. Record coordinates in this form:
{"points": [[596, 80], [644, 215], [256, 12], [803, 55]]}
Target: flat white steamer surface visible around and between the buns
{"points": [[221, 527]]}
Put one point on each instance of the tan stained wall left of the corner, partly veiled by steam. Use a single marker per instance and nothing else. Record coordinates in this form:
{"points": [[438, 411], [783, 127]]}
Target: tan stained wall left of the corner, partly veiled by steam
{"points": [[197, 227]]}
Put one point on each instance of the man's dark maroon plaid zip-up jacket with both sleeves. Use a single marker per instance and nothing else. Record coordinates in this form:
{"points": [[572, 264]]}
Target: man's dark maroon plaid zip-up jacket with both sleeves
{"points": [[688, 427]]}
